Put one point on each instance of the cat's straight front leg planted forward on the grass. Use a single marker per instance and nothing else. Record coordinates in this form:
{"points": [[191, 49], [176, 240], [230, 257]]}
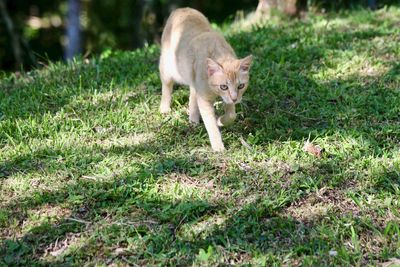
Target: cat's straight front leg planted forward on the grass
{"points": [[208, 115]]}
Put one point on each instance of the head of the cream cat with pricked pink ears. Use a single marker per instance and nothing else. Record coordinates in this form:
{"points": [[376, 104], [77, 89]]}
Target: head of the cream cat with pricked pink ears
{"points": [[230, 78]]}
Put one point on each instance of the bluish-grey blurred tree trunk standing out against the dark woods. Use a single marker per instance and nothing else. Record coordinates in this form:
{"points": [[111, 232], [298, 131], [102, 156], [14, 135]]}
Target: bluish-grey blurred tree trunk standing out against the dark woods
{"points": [[73, 46]]}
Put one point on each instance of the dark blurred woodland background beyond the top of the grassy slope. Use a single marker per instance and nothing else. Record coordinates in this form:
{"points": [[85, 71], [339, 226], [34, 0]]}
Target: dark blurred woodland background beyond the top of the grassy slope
{"points": [[34, 32]]}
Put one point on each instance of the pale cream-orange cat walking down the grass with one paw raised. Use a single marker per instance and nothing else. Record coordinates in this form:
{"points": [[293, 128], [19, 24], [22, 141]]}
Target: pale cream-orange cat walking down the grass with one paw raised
{"points": [[194, 54]]}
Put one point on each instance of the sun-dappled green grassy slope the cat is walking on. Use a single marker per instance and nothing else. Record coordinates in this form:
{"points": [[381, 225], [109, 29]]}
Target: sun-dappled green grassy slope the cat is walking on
{"points": [[91, 173]]}
